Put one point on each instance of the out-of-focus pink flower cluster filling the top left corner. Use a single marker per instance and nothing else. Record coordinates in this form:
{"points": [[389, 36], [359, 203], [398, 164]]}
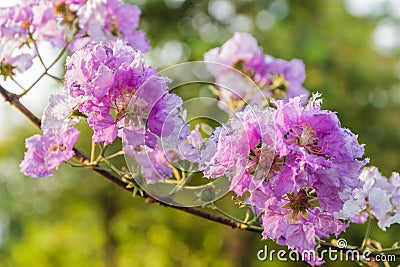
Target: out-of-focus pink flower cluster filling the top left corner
{"points": [[63, 23]]}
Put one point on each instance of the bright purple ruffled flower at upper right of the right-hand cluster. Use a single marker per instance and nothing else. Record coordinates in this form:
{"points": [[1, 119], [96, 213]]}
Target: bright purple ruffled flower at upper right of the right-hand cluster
{"points": [[318, 146]]}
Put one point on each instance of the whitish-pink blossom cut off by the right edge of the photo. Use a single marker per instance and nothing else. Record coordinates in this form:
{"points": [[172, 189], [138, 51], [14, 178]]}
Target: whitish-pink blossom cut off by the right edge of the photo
{"points": [[379, 197]]}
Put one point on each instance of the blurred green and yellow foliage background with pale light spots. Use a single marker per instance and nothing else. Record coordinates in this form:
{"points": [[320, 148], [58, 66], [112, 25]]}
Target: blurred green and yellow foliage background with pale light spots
{"points": [[76, 218]]}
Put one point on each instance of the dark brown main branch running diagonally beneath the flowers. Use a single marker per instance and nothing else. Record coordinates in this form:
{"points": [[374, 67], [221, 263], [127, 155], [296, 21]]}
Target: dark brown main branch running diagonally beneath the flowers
{"points": [[13, 99]]}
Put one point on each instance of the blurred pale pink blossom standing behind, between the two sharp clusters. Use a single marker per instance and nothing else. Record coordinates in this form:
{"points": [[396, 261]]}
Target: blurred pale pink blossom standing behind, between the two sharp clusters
{"points": [[260, 77]]}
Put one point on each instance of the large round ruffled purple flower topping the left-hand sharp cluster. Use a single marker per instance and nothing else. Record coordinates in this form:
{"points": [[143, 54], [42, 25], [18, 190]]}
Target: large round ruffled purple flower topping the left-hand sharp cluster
{"points": [[114, 81]]}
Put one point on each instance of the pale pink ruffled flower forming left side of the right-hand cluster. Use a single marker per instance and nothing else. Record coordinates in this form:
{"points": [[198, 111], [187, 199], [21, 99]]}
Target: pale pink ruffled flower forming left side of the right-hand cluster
{"points": [[241, 149]]}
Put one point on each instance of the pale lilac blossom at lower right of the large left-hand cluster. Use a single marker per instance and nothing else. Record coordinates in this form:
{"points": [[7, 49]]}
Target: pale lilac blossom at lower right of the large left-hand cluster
{"points": [[166, 140]]}
